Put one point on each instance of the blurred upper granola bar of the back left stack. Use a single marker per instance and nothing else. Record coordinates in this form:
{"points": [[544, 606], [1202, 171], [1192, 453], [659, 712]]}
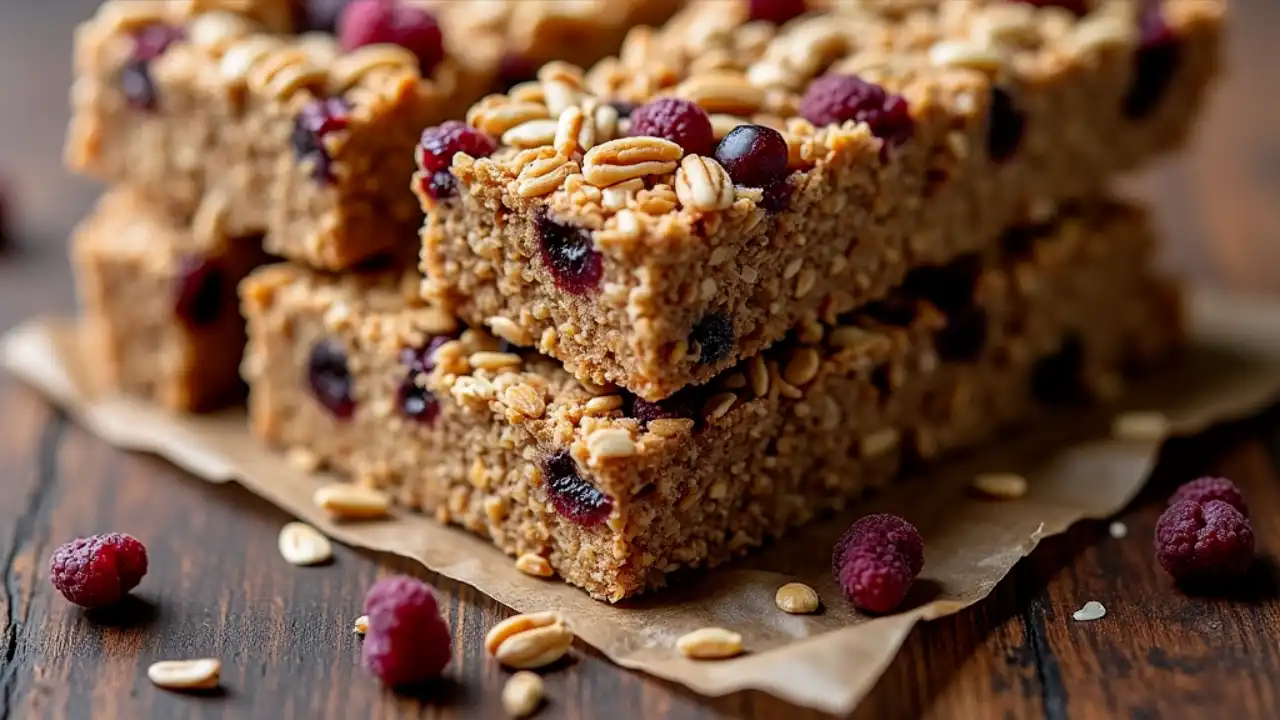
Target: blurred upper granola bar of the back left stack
{"points": [[292, 135]]}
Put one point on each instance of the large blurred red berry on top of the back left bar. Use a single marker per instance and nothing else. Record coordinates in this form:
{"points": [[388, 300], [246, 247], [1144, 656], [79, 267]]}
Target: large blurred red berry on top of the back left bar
{"points": [[371, 22]]}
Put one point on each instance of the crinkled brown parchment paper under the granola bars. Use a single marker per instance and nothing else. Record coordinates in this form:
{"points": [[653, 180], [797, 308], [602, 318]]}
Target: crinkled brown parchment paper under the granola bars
{"points": [[828, 662]]}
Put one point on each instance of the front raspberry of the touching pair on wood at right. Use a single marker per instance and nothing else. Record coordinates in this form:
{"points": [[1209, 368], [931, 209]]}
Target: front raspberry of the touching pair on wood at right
{"points": [[1197, 541]]}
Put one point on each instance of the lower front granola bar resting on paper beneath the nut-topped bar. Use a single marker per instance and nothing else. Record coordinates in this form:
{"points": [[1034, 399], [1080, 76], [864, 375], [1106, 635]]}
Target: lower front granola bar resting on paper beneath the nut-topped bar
{"points": [[358, 375]]}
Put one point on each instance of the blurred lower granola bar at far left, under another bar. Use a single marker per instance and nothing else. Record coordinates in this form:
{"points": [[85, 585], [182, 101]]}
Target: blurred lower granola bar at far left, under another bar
{"points": [[159, 303]]}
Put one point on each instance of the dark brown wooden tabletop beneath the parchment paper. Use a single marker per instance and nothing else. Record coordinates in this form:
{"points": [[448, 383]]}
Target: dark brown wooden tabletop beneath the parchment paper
{"points": [[218, 587]]}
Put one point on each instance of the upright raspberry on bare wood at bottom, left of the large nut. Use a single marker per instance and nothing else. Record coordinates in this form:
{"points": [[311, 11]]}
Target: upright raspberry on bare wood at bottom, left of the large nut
{"points": [[408, 641]]}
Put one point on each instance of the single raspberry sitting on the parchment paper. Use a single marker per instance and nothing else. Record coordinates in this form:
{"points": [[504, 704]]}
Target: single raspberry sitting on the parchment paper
{"points": [[877, 560]]}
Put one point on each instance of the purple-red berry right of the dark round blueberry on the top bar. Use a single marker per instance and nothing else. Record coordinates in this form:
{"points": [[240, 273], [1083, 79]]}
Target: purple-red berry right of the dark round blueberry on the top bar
{"points": [[838, 99]]}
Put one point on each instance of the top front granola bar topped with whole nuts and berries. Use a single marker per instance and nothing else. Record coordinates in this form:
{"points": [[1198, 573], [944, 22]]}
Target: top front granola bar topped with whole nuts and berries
{"points": [[787, 172]]}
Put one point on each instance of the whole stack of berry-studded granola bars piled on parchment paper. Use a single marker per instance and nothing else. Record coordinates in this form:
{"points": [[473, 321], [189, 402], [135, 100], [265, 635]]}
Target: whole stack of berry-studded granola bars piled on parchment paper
{"points": [[662, 309]]}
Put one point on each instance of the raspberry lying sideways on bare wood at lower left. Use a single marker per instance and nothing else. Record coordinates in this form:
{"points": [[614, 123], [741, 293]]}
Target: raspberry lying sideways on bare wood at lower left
{"points": [[99, 571]]}
